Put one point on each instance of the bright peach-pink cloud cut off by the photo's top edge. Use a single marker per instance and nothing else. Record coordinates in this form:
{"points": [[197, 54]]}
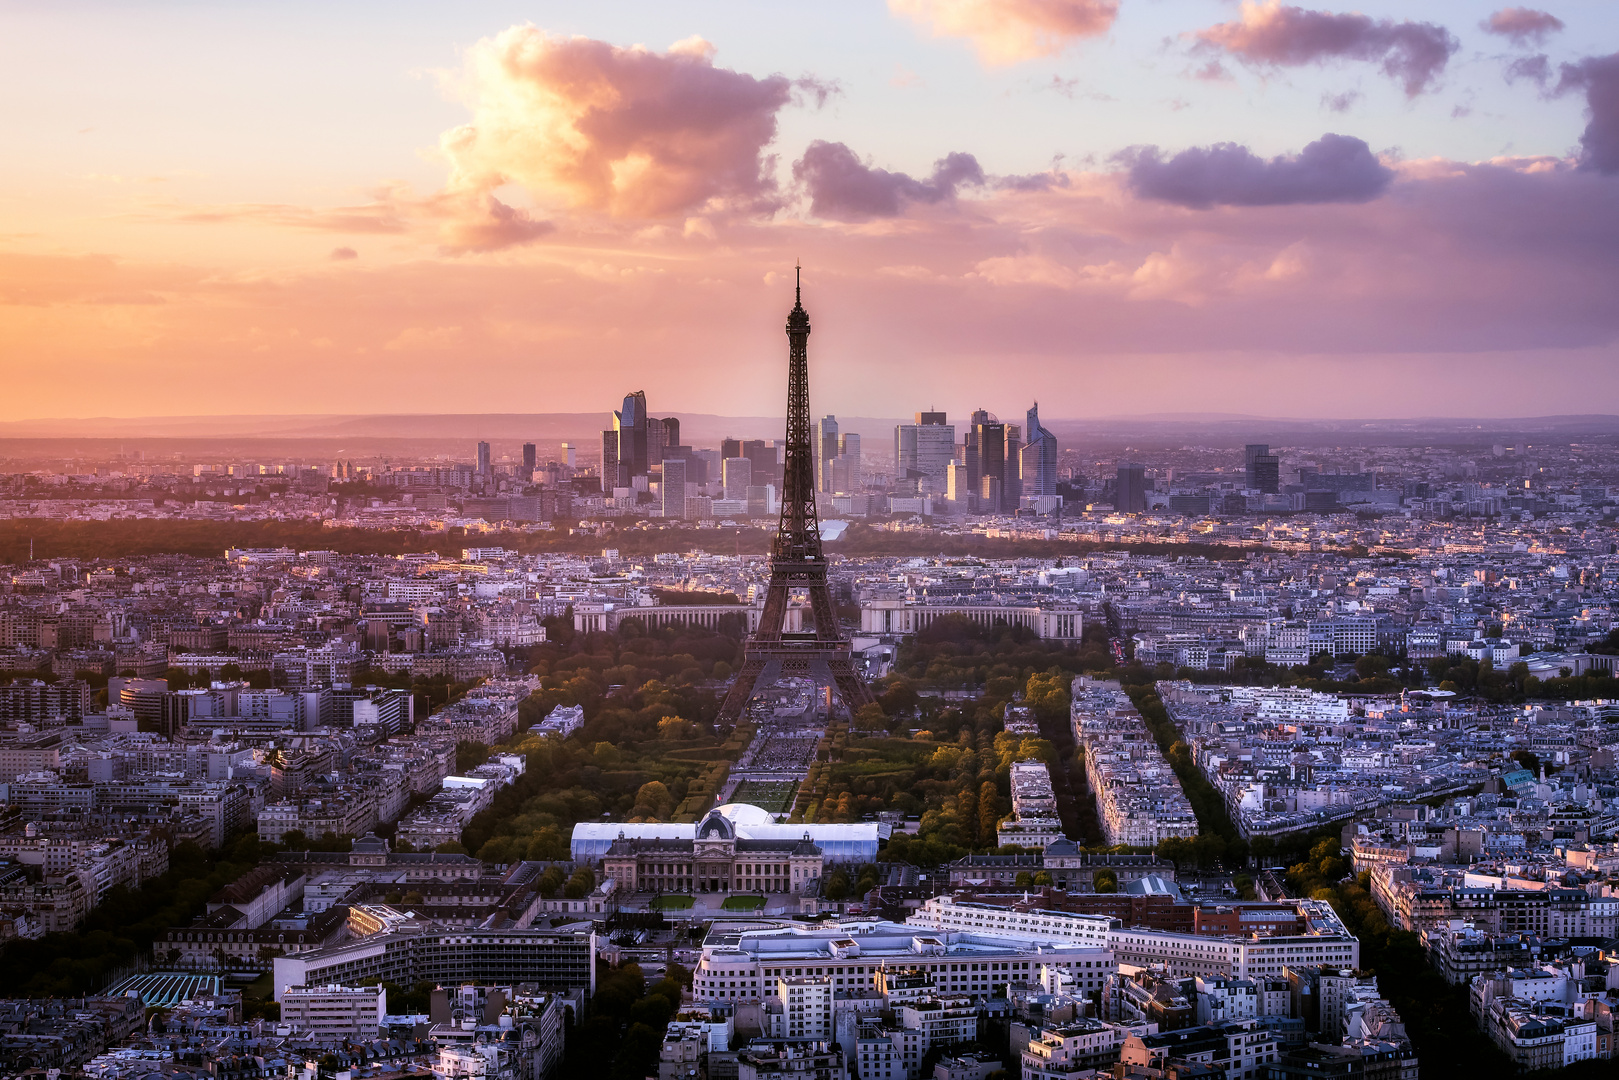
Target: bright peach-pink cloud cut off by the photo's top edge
{"points": [[1009, 32]]}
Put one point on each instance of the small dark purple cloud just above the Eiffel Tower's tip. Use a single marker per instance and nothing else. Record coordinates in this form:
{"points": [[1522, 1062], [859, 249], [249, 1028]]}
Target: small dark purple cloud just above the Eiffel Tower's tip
{"points": [[844, 189]]}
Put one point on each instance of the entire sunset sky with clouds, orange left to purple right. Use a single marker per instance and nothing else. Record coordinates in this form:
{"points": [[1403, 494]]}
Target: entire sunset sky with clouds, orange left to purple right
{"points": [[1108, 206]]}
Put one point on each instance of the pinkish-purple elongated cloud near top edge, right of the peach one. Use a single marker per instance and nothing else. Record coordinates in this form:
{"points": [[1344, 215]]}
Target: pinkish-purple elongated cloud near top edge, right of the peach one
{"points": [[1275, 35]]}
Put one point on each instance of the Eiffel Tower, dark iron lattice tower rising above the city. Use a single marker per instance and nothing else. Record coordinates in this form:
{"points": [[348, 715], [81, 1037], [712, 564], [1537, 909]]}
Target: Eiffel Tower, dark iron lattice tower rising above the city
{"points": [[797, 564]]}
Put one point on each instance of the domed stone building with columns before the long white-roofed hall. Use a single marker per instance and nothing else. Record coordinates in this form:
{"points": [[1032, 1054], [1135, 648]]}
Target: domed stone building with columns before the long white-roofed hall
{"points": [[713, 861]]}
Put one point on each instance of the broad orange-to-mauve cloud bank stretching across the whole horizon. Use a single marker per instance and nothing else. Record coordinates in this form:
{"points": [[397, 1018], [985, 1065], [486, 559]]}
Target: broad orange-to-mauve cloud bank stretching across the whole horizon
{"points": [[1461, 276]]}
